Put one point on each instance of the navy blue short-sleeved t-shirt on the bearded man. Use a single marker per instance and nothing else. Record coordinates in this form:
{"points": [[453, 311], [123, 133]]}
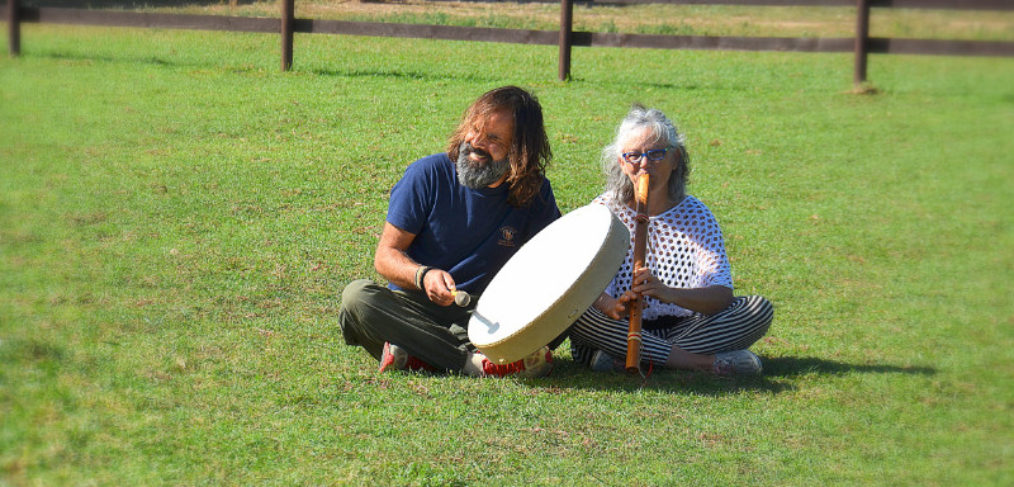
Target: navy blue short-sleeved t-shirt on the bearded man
{"points": [[470, 234]]}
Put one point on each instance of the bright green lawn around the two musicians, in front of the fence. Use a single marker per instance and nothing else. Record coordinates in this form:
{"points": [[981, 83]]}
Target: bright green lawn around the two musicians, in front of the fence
{"points": [[177, 219]]}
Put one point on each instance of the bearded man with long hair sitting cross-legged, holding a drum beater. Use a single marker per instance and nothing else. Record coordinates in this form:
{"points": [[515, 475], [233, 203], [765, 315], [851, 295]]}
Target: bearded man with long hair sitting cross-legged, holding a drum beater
{"points": [[454, 221]]}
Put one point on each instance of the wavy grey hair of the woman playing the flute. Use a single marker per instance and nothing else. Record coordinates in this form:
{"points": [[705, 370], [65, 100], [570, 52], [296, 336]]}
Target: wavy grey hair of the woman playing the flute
{"points": [[640, 118]]}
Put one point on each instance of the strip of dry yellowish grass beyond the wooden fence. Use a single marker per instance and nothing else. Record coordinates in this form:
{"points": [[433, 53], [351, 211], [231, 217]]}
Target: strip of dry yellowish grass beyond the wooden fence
{"points": [[638, 19]]}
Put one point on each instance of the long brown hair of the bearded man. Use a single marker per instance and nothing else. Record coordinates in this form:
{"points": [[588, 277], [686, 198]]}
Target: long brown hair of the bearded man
{"points": [[530, 152]]}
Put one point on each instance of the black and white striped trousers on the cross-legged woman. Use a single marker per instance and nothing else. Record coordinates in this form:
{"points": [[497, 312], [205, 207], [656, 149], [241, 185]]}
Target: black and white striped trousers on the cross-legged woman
{"points": [[736, 328]]}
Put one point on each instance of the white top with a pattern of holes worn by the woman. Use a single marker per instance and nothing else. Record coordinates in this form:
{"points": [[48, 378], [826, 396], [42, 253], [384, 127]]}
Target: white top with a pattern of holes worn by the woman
{"points": [[686, 250]]}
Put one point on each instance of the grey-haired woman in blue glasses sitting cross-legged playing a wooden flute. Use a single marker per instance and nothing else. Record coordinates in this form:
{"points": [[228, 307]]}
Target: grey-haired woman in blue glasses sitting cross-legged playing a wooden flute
{"points": [[691, 319]]}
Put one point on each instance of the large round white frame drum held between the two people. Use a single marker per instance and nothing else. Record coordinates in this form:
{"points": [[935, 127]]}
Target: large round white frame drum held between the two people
{"points": [[549, 284]]}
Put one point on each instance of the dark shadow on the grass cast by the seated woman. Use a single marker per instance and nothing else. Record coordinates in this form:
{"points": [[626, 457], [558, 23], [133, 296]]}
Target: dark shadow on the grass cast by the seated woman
{"points": [[569, 375]]}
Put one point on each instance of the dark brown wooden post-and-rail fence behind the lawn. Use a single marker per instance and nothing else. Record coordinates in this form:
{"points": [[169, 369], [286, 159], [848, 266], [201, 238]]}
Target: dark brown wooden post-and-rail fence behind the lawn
{"points": [[862, 45]]}
